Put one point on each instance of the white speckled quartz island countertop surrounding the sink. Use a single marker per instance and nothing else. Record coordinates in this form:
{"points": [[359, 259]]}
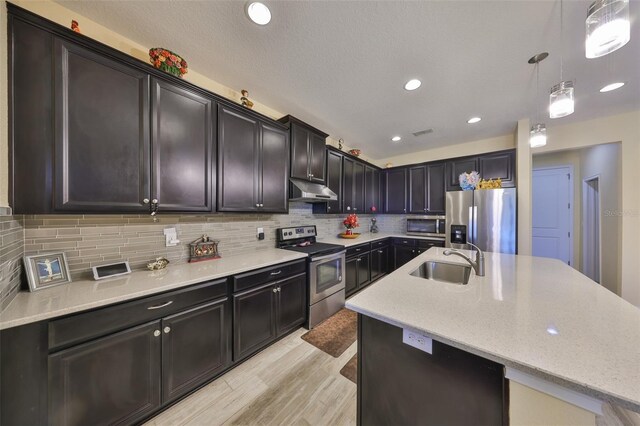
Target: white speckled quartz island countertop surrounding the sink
{"points": [[506, 316]]}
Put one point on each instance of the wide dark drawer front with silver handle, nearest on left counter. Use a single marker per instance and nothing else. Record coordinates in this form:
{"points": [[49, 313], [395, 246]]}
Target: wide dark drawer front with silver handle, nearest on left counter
{"points": [[89, 325]]}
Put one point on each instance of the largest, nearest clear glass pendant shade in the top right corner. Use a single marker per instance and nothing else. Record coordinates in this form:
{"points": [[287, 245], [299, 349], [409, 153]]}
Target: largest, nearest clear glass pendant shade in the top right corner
{"points": [[608, 27]]}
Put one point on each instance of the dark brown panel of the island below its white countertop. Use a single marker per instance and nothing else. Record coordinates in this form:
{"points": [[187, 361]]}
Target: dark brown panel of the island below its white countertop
{"points": [[401, 385]]}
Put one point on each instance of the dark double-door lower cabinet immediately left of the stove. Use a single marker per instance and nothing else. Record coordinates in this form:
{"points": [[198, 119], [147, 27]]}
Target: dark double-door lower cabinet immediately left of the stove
{"points": [[263, 314]]}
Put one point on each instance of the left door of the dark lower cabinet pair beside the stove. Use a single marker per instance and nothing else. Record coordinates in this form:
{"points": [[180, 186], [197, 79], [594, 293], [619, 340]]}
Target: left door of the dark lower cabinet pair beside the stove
{"points": [[254, 320]]}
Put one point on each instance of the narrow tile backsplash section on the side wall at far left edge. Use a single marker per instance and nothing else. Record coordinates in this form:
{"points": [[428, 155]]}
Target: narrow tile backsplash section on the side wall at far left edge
{"points": [[11, 252]]}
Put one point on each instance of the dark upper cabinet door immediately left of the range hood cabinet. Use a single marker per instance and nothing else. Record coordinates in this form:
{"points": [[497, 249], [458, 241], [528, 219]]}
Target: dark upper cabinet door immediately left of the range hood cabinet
{"points": [[274, 163]]}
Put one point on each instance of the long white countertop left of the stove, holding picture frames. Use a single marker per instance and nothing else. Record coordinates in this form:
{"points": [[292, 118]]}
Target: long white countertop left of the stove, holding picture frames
{"points": [[81, 295]]}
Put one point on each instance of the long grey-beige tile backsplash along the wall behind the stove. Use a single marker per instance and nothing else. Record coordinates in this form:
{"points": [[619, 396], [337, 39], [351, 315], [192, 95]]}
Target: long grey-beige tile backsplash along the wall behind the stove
{"points": [[90, 240]]}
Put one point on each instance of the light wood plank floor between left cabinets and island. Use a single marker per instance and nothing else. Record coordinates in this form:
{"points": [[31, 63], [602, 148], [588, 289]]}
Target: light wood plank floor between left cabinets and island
{"points": [[289, 383]]}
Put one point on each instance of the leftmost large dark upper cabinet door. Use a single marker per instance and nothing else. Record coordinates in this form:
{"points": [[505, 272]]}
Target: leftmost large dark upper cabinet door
{"points": [[101, 133]]}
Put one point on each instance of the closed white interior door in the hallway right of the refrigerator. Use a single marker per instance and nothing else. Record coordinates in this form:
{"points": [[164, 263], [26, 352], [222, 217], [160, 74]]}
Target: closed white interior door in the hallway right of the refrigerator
{"points": [[552, 213]]}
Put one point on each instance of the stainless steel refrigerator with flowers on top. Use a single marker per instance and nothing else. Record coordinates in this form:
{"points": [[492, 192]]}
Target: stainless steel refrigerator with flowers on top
{"points": [[486, 218]]}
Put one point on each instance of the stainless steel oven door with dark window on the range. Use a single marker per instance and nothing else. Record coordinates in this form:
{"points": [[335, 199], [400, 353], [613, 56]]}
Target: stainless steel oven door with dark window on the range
{"points": [[326, 276]]}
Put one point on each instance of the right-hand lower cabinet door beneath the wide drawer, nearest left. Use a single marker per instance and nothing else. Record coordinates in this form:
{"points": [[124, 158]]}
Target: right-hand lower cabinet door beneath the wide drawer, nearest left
{"points": [[196, 345]]}
